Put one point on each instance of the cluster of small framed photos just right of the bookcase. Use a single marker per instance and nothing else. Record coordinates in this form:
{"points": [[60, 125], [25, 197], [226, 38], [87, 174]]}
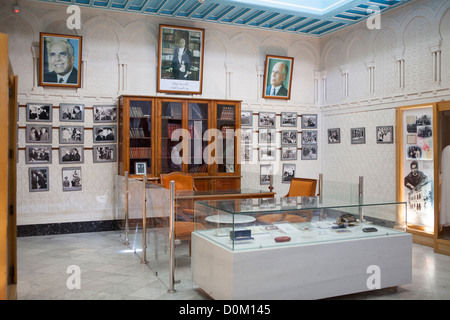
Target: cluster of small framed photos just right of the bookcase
{"points": [[291, 142]]}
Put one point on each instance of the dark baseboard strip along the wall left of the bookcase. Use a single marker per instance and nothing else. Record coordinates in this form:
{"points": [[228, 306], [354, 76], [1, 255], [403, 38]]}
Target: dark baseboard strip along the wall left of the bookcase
{"points": [[67, 227]]}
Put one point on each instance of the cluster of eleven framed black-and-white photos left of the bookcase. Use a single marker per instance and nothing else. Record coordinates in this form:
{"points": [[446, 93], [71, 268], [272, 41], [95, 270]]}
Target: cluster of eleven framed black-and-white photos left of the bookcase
{"points": [[41, 140]]}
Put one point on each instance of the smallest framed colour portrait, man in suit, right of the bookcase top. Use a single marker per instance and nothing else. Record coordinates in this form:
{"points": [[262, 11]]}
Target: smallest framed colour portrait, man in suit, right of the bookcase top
{"points": [[278, 77]]}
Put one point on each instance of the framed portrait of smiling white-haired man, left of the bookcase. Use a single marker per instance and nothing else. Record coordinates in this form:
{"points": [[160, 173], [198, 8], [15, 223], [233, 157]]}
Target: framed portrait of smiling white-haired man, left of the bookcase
{"points": [[60, 60]]}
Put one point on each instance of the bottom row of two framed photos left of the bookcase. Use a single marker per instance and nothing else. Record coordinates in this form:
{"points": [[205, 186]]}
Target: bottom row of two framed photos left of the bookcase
{"points": [[39, 179]]}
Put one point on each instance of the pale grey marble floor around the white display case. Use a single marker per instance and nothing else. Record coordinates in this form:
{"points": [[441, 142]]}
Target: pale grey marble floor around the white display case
{"points": [[111, 270]]}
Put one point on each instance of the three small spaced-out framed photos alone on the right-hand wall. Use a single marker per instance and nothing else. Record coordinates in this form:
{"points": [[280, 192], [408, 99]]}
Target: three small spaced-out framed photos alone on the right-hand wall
{"points": [[384, 134]]}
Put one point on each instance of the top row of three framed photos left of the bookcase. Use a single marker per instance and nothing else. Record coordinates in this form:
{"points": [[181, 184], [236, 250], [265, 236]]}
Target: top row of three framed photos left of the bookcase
{"points": [[73, 112]]}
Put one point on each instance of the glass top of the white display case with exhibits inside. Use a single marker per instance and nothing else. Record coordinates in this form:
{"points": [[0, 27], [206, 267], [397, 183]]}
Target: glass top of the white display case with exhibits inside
{"points": [[247, 224]]}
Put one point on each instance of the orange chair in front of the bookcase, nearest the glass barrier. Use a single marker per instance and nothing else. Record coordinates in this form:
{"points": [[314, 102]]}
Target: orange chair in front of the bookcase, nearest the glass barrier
{"points": [[184, 213]]}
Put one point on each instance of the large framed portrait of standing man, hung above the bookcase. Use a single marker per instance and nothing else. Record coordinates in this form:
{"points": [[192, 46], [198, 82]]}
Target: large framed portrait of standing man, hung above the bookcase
{"points": [[180, 59]]}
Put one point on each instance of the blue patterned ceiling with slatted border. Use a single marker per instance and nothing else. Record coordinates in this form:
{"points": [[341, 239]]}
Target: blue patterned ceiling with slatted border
{"points": [[305, 17]]}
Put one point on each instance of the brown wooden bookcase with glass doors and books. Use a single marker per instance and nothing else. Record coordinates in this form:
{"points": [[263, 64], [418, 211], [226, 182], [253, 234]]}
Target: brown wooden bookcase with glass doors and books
{"points": [[181, 134]]}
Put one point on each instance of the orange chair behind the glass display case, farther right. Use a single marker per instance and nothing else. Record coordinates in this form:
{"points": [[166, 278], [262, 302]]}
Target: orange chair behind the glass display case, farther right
{"points": [[300, 187]]}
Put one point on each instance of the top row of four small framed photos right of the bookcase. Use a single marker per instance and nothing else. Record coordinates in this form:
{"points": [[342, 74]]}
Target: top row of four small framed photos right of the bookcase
{"points": [[288, 119]]}
